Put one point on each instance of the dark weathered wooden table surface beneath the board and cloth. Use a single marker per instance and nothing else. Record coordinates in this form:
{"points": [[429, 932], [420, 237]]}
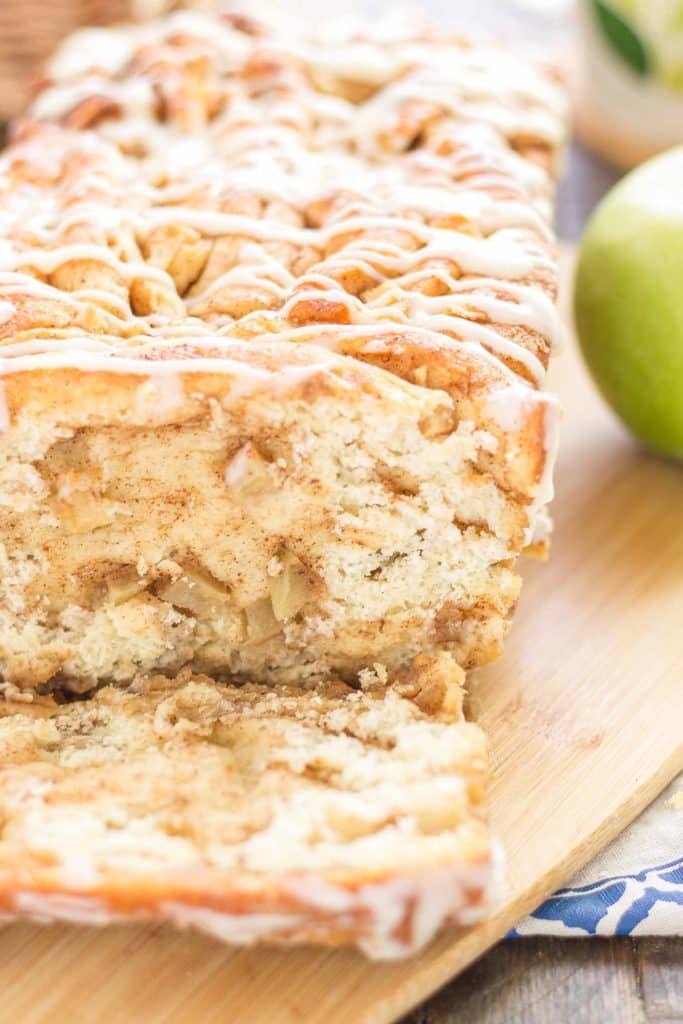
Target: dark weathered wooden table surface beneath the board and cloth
{"points": [[569, 982]]}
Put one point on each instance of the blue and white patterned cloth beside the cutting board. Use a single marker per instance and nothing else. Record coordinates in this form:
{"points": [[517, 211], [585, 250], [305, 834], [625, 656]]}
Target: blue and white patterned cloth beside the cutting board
{"points": [[634, 888]]}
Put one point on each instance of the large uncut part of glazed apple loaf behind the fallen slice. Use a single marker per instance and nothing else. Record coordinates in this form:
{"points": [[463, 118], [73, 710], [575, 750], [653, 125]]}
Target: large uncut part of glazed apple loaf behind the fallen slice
{"points": [[276, 314]]}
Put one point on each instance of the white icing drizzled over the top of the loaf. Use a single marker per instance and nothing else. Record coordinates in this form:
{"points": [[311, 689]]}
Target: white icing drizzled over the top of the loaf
{"points": [[400, 224]]}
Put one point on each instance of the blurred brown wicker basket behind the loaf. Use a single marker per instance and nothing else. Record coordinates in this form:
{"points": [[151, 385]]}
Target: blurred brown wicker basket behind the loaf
{"points": [[30, 31]]}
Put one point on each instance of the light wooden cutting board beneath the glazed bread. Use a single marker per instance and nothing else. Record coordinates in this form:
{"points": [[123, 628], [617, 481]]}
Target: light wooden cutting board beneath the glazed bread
{"points": [[585, 713]]}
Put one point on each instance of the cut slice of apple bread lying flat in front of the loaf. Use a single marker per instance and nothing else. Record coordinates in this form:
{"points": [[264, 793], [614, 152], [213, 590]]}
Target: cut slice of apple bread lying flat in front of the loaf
{"points": [[287, 815]]}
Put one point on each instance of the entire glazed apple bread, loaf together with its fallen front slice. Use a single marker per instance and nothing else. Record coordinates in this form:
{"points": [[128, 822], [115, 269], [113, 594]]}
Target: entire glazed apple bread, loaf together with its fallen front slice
{"points": [[275, 320]]}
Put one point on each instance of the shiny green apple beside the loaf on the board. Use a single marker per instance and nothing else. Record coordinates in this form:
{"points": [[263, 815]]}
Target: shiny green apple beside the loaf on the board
{"points": [[629, 302]]}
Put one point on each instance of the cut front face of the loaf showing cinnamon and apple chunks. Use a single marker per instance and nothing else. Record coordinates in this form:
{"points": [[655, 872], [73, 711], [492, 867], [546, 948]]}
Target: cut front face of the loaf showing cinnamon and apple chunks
{"points": [[295, 584]]}
